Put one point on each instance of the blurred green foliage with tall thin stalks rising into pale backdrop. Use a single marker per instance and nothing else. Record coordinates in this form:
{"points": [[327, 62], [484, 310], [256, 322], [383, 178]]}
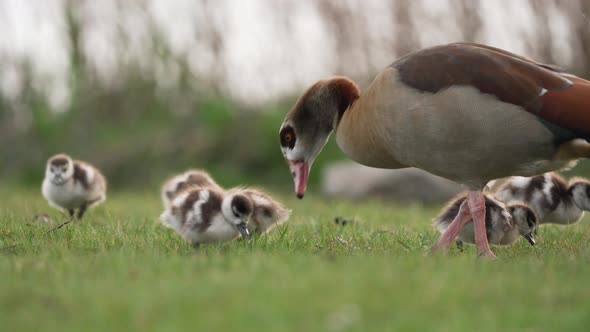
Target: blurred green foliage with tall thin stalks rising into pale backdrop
{"points": [[137, 129]]}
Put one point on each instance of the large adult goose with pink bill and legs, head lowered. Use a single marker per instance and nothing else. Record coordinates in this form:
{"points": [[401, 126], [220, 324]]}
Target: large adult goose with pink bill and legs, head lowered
{"points": [[467, 112]]}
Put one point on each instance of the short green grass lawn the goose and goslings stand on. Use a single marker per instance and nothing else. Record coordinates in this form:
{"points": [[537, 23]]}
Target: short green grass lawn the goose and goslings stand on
{"points": [[119, 270]]}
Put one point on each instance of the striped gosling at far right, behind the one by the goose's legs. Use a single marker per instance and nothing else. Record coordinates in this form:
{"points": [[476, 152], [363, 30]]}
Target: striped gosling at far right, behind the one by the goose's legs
{"points": [[552, 199]]}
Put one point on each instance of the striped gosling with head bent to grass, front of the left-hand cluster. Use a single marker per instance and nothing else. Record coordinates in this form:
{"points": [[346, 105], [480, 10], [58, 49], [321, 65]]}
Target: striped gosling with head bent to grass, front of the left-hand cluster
{"points": [[205, 215]]}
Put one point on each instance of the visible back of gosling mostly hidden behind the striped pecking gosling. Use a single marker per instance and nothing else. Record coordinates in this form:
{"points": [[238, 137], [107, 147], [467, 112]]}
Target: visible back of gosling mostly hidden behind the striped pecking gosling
{"points": [[181, 182]]}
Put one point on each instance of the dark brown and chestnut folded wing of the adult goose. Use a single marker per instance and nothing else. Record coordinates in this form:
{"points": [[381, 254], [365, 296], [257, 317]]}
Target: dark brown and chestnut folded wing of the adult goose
{"points": [[559, 99]]}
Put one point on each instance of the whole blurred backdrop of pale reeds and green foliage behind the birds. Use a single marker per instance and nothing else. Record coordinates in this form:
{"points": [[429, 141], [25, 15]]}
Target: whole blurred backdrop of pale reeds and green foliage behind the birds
{"points": [[145, 88]]}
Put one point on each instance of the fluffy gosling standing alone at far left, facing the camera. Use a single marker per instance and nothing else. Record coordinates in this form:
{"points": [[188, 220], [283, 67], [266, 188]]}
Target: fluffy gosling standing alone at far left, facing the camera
{"points": [[73, 184]]}
